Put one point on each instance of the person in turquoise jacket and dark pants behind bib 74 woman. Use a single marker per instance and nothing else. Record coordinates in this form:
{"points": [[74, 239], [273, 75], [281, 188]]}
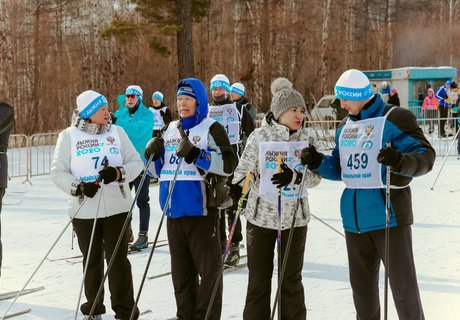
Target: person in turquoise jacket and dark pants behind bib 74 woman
{"points": [[137, 121]]}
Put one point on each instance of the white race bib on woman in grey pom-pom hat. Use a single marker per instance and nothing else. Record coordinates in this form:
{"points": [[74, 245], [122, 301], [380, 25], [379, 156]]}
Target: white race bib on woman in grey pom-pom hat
{"points": [[268, 152]]}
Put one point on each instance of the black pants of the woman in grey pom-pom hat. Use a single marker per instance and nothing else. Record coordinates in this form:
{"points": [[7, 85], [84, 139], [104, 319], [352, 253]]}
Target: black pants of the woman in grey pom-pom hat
{"points": [[260, 245]]}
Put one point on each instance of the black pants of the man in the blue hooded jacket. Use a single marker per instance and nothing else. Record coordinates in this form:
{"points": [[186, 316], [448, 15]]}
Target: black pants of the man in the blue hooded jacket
{"points": [[196, 262]]}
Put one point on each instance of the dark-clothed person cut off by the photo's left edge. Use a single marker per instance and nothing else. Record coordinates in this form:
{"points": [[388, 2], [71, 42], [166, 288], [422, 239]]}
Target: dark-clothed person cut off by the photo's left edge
{"points": [[6, 125]]}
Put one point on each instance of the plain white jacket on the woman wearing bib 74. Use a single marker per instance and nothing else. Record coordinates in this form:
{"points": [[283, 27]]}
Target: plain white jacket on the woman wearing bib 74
{"points": [[116, 197]]}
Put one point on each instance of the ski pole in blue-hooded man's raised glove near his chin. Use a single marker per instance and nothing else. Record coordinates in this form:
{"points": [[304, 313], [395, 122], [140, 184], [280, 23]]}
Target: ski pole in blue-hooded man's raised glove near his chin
{"points": [[167, 206]]}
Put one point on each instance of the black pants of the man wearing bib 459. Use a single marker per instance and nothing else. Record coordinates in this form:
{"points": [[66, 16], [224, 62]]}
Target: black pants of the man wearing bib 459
{"points": [[365, 251]]}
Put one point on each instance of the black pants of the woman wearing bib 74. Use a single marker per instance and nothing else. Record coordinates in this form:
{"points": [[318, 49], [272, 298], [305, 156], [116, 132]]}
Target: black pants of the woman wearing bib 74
{"points": [[120, 278]]}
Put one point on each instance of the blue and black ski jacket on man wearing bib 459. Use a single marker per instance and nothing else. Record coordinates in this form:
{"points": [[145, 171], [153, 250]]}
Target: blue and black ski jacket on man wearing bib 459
{"points": [[363, 210]]}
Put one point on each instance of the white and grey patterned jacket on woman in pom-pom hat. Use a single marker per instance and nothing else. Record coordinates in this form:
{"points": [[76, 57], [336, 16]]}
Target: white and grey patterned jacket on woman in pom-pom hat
{"points": [[258, 211]]}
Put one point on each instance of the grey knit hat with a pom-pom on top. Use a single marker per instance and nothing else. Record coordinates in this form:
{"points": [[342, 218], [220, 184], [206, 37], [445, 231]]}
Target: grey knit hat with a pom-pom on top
{"points": [[284, 97]]}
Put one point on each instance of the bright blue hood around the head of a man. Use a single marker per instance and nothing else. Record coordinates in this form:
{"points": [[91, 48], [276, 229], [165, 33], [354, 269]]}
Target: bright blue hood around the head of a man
{"points": [[201, 102]]}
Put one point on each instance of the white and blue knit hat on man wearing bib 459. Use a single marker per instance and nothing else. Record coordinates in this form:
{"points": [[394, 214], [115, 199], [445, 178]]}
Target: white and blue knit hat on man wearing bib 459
{"points": [[353, 85]]}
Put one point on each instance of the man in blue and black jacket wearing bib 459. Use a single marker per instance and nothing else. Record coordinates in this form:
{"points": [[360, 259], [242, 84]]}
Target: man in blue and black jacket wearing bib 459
{"points": [[373, 137]]}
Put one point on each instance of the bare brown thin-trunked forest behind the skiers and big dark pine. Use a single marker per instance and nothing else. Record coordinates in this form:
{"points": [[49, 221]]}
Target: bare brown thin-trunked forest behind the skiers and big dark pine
{"points": [[52, 50]]}
